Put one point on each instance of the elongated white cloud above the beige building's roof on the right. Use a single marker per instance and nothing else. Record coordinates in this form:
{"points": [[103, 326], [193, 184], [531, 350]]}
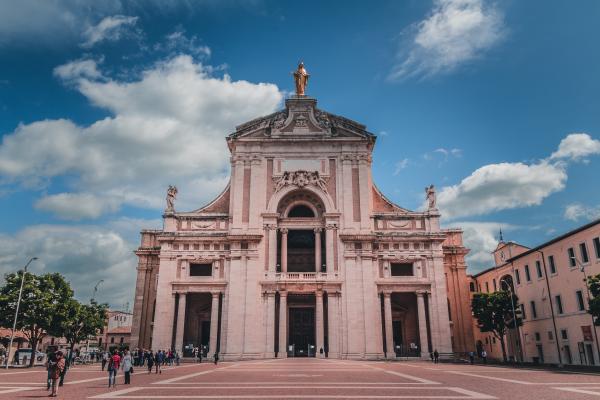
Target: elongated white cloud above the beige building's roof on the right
{"points": [[501, 186]]}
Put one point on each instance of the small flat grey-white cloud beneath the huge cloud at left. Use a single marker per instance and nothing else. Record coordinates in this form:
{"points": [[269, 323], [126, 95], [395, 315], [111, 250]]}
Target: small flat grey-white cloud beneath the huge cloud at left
{"points": [[75, 206]]}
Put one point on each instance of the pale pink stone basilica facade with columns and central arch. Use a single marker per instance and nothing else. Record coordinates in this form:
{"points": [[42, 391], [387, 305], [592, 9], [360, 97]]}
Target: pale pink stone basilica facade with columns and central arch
{"points": [[302, 255]]}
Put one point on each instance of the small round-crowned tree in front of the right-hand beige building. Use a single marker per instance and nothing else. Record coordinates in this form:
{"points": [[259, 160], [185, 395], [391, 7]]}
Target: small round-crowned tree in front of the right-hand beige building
{"points": [[494, 313]]}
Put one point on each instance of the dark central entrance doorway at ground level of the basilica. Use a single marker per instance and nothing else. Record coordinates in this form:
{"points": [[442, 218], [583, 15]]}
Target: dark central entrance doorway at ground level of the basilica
{"points": [[302, 331]]}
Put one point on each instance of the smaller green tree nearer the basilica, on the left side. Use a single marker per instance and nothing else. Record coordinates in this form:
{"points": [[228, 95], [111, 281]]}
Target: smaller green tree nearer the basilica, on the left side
{"points": [[79, 321]]}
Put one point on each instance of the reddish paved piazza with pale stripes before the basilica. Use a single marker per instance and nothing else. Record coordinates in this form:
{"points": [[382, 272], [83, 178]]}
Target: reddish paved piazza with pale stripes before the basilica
{"points": [[313, 379]]}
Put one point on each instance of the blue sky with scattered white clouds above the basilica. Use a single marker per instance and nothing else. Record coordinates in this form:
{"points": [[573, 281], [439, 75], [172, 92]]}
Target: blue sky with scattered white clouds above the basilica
{"points": [[104, 104]]}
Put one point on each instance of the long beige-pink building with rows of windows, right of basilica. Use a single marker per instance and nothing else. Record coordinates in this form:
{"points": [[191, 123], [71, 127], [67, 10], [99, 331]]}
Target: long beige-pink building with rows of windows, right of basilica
{"points": [[549, 282]]}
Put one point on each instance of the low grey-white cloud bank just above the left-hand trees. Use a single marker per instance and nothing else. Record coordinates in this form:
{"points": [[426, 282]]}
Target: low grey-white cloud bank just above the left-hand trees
{"points": [[83, 254]]}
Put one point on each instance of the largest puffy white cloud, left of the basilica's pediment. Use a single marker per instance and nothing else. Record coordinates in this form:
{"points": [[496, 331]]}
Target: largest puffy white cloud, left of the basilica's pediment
{"points": [[167, 127]]}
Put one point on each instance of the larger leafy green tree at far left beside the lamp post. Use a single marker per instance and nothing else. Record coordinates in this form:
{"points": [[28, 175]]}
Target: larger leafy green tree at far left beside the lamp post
{"points": [[42, 304]]}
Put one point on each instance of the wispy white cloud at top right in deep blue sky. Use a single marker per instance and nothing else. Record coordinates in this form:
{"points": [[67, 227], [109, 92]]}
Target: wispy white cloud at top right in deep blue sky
{"points": [[454, 33]]}
